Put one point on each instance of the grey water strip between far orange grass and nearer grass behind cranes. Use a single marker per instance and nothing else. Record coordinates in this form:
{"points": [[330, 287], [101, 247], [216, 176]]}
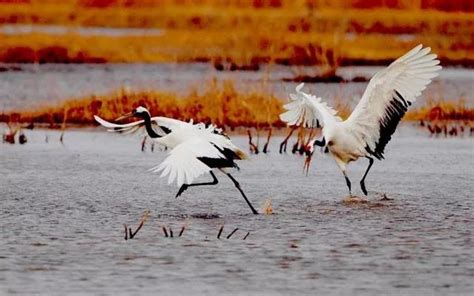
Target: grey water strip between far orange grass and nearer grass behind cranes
{"points": [[49, 84]]}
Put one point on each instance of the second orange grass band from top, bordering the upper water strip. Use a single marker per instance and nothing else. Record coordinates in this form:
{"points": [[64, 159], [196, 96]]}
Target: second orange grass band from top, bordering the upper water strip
{"points": [[241, 47]]}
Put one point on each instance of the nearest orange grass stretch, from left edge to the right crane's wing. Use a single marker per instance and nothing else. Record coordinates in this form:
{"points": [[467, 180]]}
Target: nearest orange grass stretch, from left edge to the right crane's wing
{"points": [[219, 104]]}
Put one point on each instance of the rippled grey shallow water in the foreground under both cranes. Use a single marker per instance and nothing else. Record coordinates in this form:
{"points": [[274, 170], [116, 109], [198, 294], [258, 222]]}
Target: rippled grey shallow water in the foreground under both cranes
{"points": [[63, 207]]}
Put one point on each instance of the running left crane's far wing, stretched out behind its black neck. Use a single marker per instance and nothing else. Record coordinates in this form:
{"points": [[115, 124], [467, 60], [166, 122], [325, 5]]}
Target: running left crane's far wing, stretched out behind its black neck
{"points": [[162, 125]]}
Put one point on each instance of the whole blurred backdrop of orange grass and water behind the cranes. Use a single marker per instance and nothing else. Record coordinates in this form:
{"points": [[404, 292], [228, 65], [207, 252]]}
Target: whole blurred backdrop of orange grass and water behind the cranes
{"points": [[227, 61]]}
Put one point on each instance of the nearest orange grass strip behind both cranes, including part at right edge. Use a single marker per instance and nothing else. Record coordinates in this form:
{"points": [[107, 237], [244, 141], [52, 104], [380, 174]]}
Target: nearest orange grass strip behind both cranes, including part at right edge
{"points": [[220, 104]]}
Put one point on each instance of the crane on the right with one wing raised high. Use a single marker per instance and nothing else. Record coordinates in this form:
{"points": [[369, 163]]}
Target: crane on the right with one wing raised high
{"points": [[373, 121]]}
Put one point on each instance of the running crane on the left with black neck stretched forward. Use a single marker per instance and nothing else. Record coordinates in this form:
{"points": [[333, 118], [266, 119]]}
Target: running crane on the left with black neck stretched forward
{"points": [[196, 148]]}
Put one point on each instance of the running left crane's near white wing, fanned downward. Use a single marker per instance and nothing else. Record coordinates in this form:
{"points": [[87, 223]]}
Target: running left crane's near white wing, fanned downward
{"points": [[183, 164]]}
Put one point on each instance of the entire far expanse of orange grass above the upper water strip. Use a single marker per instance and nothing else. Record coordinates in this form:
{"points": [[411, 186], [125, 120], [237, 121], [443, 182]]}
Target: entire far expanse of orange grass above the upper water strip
{"points": [[291, 33]]}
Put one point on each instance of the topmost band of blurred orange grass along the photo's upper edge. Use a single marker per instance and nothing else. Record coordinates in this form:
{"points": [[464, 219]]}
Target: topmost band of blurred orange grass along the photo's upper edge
{"points": [[293, 16]]}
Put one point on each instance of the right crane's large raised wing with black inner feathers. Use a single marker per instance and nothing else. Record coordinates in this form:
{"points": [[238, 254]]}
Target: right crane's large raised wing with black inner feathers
{"points": [[387, 98]]}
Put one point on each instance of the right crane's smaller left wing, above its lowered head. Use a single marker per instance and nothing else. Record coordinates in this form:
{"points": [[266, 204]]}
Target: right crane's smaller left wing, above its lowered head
{"points": [[307, 110]]}
